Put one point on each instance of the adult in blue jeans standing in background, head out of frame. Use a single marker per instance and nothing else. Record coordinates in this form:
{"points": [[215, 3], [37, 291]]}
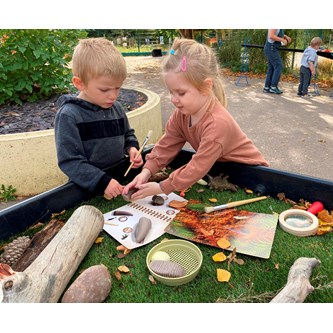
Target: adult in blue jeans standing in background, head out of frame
{"points": [[275, 39]]}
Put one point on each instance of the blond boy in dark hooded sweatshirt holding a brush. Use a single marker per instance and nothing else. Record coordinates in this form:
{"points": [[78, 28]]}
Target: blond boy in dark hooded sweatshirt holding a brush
{"points": [[92, 130]]}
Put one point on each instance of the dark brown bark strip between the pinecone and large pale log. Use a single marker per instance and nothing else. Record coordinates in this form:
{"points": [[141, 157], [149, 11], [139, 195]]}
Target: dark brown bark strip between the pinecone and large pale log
{"points": [[37, 245]]}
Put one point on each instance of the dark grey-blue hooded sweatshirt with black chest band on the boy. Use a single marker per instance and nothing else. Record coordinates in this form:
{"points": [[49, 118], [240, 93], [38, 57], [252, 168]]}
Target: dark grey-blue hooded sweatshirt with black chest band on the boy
{"points": [[89, 138]]}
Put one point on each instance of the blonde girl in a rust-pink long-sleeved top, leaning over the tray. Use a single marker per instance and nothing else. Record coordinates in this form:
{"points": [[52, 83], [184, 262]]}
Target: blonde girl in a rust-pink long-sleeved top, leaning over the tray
{"points": [[191, 73]]}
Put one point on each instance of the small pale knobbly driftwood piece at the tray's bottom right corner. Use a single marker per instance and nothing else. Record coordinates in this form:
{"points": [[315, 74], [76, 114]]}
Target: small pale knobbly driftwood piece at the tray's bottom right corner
{"points": [[298, 285]]}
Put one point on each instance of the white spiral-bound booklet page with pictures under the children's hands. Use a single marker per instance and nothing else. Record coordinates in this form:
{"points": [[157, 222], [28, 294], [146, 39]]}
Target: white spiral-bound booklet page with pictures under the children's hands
{"points": [[121, 227]]}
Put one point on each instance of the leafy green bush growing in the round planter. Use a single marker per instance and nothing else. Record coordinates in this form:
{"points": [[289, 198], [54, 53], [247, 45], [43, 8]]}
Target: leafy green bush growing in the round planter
{"points": [[33, 63]]}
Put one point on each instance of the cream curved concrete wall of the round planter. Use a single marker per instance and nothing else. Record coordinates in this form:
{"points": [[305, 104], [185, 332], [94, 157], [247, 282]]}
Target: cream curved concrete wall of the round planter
{"points": [[28, 160]]}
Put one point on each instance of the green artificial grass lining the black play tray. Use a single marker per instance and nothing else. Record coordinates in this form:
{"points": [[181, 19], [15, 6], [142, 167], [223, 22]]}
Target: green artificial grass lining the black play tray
{"points": [[258, 280]]}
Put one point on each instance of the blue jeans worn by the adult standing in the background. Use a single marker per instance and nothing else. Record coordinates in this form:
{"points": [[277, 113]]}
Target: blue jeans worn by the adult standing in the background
{"points": [[275, 65]]}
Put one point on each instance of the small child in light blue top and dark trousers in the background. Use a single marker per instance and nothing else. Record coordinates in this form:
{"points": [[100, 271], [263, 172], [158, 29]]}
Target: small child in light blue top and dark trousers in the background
{"points": [[309, 64]]}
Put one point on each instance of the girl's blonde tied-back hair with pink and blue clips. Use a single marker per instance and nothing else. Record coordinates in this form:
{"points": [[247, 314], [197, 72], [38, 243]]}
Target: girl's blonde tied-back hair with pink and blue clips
{"points": [[200, 62]]}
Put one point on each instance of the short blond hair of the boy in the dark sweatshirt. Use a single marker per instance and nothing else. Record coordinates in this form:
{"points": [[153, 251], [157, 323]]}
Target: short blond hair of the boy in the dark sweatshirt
{"points": [[95, 57]]}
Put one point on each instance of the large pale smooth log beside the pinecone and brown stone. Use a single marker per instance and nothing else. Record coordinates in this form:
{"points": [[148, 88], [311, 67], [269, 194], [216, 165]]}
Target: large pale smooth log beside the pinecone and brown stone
{"points": [[47, 277]]}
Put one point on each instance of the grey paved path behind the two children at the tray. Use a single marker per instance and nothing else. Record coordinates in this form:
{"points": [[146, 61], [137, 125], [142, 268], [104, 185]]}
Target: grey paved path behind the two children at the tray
{"points": [[294, 134]]}
